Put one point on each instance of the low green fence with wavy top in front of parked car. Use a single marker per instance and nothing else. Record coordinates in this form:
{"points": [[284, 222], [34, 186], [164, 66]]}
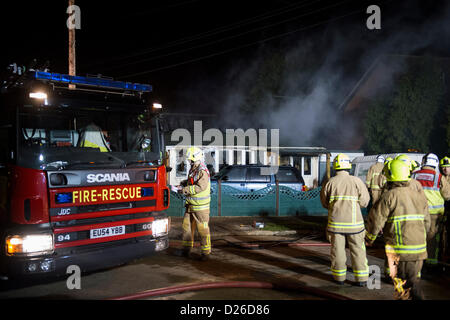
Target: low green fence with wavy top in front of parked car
{"points": [[270, 201]]}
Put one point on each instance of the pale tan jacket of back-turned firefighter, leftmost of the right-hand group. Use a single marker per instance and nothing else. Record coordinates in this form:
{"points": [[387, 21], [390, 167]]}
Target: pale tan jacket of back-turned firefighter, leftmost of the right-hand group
{"points": [[344, 195]]}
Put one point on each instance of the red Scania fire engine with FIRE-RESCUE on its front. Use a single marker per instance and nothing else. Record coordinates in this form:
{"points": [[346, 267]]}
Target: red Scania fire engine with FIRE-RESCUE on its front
{"points": [[81, 175]]}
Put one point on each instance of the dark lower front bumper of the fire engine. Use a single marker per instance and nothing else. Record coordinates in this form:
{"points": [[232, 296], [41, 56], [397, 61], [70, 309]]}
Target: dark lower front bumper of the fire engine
{"points": [[86, 260]]}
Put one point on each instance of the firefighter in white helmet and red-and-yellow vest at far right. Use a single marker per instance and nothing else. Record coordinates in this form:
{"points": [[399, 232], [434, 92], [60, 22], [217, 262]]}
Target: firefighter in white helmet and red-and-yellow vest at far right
{"points": [[435, 190]]}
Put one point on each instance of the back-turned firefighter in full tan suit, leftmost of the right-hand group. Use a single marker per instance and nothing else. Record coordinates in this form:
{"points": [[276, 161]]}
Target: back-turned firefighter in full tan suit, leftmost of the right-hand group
{"points": [[344, 195]]}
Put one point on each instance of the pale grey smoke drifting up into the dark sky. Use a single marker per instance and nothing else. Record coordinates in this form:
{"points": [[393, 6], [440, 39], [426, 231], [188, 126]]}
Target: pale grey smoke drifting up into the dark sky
{"points": [[306, 106]]}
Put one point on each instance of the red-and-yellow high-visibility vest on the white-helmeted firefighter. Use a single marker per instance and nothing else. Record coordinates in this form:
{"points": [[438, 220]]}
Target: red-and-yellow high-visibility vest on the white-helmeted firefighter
{"points": [[431, 181]]}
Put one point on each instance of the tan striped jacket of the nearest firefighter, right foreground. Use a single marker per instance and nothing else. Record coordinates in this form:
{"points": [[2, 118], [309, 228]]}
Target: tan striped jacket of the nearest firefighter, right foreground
{"points": [[402, 214]]}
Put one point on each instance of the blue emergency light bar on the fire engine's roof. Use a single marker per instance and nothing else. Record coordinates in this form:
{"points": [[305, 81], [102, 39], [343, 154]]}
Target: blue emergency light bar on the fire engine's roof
{"points": [[97, 82]]}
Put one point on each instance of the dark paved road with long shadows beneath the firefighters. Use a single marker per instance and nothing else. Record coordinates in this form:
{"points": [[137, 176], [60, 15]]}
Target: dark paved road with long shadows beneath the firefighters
{"points": [[301, 265]]}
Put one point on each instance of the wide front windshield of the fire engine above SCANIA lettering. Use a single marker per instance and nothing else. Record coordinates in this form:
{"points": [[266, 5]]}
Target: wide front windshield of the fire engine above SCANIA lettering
{"points": [[72, 139]]}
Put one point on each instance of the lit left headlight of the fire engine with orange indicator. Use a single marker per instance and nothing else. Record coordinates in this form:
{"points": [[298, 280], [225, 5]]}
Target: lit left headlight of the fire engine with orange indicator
{"points": [[30, 244]]}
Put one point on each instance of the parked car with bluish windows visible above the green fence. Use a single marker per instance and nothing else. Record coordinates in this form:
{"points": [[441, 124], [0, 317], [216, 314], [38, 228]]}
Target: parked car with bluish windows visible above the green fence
{"points": [[249, 177]]}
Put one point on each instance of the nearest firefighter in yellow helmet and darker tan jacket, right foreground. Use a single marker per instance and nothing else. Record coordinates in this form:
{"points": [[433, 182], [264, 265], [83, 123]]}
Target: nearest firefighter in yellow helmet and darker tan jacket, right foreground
{"points": [[402, 213]]}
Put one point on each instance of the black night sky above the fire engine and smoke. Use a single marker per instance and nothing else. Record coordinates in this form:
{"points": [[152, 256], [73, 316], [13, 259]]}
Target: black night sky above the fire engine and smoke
{"points": [[175, 45]]}
